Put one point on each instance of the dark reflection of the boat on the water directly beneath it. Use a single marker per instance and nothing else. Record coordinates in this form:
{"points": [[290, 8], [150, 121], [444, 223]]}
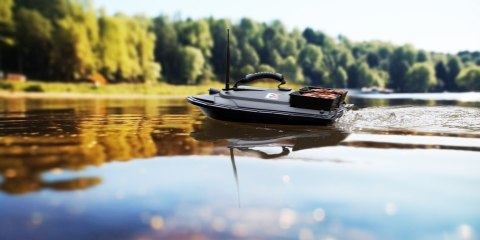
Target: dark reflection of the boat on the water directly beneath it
{"points": [[248, 137]]}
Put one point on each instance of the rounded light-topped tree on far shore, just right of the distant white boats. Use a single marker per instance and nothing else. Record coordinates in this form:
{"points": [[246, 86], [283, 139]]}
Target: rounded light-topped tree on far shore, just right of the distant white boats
{"points": [[420, 78]]}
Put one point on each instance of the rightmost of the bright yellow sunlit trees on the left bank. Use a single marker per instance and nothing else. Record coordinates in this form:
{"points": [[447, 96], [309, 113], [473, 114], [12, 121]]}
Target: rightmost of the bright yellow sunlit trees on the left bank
{"points": [[127, 49]]}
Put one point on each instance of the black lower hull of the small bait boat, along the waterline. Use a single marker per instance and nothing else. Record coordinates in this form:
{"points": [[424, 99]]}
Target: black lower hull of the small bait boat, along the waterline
{"points": [[241, 114]]}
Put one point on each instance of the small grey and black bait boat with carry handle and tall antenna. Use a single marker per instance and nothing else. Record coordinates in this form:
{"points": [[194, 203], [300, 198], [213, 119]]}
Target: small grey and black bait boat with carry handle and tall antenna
{"points": [[307, 106]]}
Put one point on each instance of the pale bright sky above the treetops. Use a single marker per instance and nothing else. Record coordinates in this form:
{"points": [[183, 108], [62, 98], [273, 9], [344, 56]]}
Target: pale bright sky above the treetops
{"points": [[445, 26]]}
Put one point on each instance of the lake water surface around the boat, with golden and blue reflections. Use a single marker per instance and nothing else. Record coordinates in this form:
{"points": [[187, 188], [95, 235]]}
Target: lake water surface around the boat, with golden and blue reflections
{"points": [[156, 168]]}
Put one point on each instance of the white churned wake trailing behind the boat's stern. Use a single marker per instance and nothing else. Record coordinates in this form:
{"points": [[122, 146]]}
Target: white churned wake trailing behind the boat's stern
{"points": [[427, 119]]}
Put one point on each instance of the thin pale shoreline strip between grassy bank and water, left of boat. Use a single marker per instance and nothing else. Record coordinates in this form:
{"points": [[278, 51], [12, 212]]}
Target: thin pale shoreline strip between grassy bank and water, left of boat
{"points": [[50, 95]]}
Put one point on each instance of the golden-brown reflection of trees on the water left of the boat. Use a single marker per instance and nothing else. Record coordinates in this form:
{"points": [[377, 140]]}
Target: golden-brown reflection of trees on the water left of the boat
{"points": [[35, 140]]}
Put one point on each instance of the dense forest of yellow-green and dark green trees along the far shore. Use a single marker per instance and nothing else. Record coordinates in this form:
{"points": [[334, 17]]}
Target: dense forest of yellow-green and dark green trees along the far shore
{"points": [[70, 41]]}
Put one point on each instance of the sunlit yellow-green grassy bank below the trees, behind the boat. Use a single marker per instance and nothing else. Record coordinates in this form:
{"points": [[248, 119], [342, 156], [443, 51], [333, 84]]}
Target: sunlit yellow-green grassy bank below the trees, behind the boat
{"points": [[123, 88]]}
